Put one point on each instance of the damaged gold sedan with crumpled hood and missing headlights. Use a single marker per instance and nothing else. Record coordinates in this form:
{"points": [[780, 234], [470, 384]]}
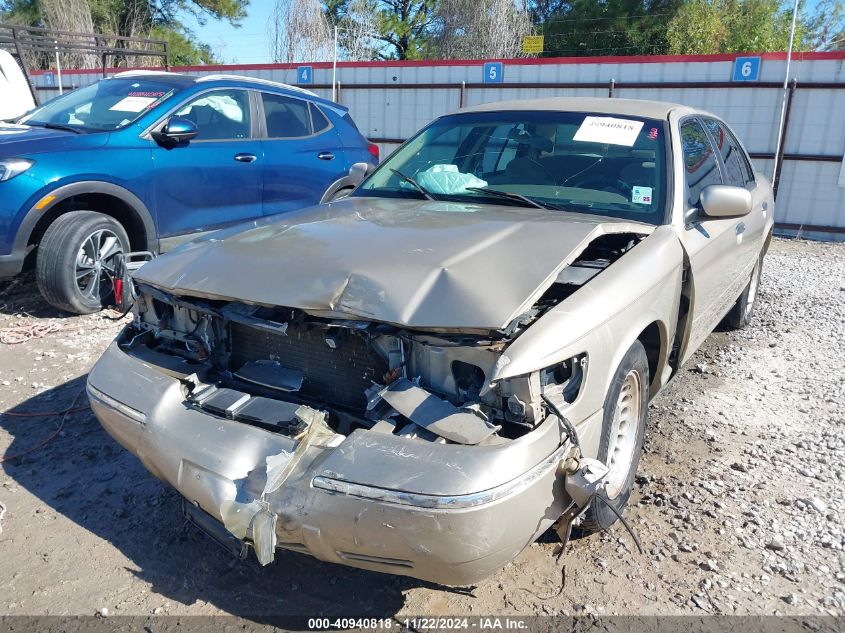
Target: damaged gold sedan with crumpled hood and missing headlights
{"points": [[424, 377]]}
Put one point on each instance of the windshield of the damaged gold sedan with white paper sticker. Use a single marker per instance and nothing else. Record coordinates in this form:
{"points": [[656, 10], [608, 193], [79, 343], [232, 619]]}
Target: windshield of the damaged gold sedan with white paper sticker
{"points": [[593, 163]]}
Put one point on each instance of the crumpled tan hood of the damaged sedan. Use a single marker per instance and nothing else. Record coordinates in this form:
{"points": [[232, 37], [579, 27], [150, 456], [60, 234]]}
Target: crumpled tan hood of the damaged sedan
{"points": [[415, 263]]}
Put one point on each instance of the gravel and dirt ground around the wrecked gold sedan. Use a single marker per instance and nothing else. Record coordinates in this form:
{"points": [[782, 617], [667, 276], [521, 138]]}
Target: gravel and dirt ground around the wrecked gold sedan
{"points": [[738, 503]]}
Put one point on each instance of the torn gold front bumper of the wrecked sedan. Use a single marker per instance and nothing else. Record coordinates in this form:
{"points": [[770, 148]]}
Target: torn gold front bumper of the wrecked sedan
{"points": [[221, 466]]}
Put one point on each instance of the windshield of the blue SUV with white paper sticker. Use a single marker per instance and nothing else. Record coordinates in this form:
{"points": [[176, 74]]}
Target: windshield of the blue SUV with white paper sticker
{"points": [[109, 104]]}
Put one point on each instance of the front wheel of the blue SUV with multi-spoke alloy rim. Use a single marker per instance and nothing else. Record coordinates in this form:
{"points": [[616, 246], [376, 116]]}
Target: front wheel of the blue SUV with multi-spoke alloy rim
{"points": [[75, 262]]}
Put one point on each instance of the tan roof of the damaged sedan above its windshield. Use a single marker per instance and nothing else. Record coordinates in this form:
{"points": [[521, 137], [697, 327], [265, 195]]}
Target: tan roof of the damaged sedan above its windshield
{"points": [[625, 107]]}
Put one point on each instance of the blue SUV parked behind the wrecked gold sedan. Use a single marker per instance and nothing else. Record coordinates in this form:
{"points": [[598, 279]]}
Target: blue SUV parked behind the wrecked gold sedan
{"points": [[147, 160]]}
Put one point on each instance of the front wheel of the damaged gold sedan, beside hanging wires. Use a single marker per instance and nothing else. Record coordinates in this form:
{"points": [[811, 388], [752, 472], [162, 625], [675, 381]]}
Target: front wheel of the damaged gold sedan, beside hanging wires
{"points": [[626, 404]]}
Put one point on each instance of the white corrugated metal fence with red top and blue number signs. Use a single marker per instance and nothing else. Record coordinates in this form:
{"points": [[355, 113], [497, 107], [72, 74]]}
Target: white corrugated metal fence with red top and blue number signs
{"points": [[391, 100]]}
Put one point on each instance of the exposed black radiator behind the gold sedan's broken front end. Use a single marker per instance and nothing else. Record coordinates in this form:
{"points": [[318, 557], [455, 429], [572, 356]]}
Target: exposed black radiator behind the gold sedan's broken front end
{"points": [[333, 376]]}
